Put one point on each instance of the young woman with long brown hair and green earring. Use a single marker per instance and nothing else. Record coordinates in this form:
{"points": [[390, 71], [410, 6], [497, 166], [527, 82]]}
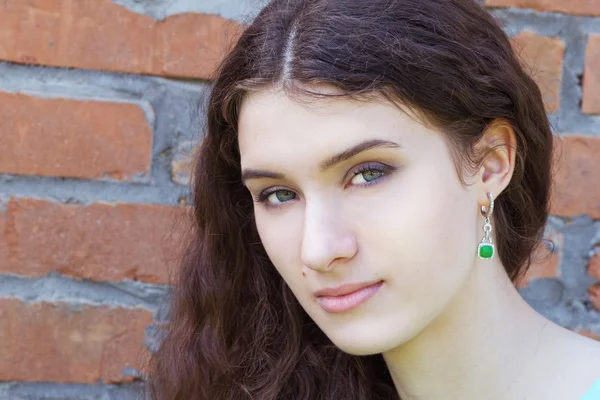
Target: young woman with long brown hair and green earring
{"points": [[374, 178]]}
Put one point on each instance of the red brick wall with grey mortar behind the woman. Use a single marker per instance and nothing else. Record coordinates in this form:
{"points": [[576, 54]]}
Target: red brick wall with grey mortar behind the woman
{"points": [[98, 105]]}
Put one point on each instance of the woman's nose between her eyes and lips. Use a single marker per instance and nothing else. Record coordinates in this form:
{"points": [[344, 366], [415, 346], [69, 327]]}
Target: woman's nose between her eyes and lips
{"points": [[326, 238]]}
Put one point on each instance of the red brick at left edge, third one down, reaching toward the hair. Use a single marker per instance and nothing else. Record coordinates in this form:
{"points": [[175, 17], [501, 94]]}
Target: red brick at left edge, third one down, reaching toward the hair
{"points": [[100, 241]]}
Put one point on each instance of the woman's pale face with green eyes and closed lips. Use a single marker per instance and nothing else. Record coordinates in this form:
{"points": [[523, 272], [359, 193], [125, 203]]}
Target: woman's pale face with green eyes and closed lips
{"points": [[394, 214]]}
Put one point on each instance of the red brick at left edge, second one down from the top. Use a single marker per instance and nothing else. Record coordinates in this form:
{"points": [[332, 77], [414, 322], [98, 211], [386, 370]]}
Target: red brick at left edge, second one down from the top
{"points": [[70, 138]]}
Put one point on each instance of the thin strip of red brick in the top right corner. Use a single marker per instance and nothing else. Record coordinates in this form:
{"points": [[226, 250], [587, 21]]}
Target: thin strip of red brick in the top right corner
{"points": [[577, 7]]}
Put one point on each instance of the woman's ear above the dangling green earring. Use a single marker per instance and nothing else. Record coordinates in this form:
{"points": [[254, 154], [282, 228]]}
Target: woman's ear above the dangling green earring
{"points": [[498, 144]]}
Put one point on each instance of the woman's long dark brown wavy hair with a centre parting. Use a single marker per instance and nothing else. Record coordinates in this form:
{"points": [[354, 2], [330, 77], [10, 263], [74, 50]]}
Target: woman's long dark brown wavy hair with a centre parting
{"points": [[235, 330]]}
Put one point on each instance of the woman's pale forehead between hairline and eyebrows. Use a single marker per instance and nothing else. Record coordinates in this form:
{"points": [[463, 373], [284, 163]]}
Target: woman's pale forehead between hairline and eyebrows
{"points": [[274, 127]]}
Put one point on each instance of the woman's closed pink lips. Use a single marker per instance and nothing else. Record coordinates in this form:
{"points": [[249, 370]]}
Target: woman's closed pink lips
{"points": [[347, 297]]}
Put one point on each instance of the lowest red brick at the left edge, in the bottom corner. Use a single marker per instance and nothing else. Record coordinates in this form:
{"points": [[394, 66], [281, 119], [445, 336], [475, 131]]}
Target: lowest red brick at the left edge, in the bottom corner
{"points": [[62, 343]]}
